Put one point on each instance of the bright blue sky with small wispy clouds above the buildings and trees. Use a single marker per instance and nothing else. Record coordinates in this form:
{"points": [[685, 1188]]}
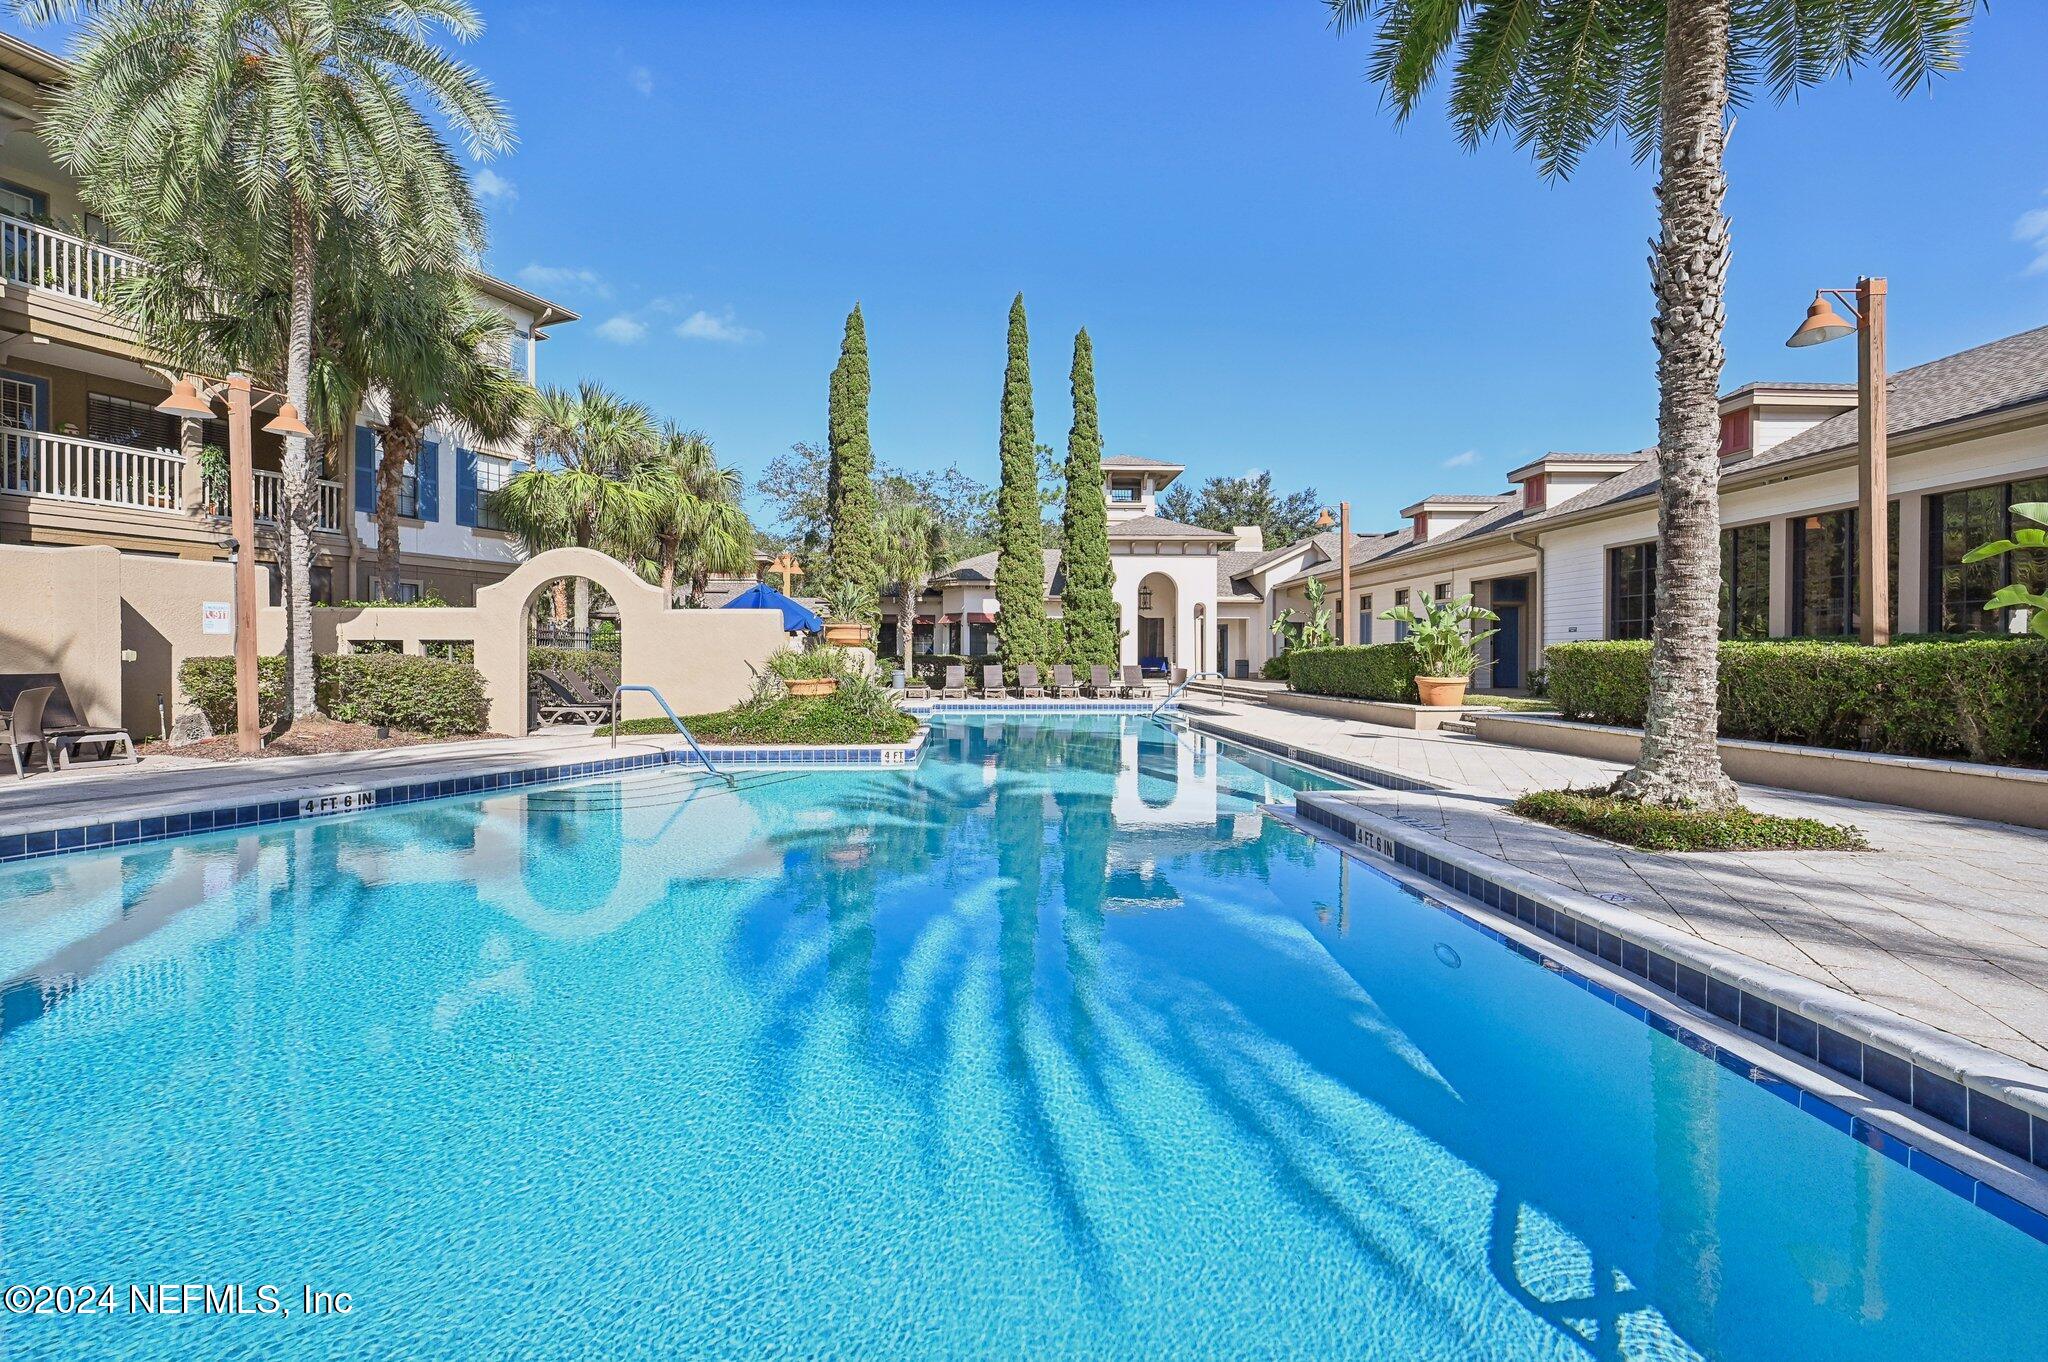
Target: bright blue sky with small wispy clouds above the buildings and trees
{"points": [[1275, 275]]}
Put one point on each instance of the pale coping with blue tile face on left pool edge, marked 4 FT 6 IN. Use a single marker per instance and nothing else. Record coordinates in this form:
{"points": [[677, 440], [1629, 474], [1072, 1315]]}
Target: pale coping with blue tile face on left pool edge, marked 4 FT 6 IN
{"points": [[300, 800]]}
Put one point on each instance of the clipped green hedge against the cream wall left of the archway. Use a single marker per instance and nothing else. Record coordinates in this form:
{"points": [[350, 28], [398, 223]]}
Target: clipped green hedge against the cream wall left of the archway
{"points": [[419, 695]]}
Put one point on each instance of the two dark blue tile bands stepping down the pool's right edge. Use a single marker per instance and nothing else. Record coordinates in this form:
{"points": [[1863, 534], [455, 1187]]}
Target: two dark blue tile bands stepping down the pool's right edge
{"points": [[1742, 1011]]}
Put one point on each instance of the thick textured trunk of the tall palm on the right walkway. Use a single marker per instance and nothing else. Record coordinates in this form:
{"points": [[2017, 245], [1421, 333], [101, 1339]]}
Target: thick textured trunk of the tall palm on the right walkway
{"points": [[1680, 761]]}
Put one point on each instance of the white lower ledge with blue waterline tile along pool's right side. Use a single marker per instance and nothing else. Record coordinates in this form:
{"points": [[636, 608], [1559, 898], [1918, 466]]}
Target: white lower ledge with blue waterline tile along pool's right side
{"points": [[2004, 1187]]}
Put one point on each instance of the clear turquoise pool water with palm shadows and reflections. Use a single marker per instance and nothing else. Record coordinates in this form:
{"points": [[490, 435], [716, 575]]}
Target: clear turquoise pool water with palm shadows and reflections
{"points": [[1054, 1048]]}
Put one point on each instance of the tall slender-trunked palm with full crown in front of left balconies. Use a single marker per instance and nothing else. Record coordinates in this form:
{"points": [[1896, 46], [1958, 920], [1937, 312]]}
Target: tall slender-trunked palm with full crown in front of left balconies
{"points": [[298, 116]]}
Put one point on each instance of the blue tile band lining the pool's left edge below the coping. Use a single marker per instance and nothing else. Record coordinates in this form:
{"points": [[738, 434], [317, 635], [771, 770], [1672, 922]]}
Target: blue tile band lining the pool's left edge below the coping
{"points": [[273, 812]]}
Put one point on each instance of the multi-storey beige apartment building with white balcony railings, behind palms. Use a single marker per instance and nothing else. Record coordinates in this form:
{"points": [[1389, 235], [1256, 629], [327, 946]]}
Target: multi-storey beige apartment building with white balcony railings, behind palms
{"points": [[87, 458]]}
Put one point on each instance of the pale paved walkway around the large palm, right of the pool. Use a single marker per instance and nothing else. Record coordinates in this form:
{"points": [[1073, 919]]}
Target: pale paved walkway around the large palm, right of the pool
{"points": [[1945, 923]]}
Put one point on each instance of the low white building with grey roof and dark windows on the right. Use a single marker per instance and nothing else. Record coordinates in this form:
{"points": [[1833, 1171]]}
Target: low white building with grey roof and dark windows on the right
{"points": [[1570, 552]]}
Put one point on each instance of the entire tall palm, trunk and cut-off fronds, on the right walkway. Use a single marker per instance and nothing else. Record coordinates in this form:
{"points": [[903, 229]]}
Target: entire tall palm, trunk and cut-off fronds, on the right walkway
{"points": [[1564, 75]]}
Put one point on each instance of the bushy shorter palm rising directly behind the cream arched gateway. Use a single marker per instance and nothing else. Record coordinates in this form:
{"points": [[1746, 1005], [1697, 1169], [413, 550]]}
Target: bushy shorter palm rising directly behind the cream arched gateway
{"points": [[585, 486]]}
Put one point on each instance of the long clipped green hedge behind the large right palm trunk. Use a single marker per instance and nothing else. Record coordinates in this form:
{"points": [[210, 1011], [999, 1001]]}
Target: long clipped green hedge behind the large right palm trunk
{"points": [[1977, 699]]}
